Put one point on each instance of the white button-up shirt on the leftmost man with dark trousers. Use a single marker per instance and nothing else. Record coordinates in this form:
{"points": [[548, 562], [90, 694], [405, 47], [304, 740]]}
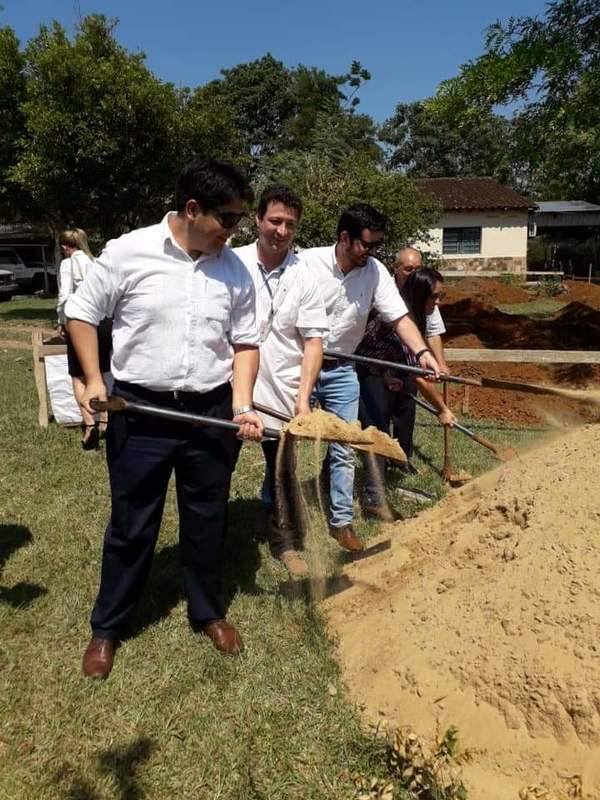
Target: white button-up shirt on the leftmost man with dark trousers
{"points": [[175, 319]]}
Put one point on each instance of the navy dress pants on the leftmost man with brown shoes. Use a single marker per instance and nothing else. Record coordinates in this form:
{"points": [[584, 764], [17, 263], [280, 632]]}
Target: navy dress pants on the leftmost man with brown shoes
{"points": [[142, 453]]}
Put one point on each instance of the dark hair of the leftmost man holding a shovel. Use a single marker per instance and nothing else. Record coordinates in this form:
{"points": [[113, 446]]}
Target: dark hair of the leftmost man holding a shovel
{"points": [[211, 183]]}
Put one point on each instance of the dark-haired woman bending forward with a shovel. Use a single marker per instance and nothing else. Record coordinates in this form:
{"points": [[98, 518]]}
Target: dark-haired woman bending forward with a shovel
{"points": [[378, 387]]}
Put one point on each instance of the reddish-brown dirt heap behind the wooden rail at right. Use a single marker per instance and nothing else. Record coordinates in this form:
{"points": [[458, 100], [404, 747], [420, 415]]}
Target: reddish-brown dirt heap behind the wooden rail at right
{"points": [[473, 322]]}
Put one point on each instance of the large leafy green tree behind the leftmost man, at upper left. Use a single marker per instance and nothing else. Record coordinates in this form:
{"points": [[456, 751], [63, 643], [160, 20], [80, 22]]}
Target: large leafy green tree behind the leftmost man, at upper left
{"points": [[101, 146]]}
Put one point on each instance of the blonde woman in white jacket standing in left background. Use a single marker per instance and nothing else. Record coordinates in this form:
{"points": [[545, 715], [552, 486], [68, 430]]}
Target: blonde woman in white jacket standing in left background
{"points": [[73, 268]]}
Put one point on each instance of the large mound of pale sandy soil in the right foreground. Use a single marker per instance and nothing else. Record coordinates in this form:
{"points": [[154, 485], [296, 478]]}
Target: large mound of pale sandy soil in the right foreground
{"points": [[485, 614]]}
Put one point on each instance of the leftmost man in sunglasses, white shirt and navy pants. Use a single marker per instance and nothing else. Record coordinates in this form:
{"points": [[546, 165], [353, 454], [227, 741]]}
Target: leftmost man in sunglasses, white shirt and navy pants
{"points": [[184, 329]]}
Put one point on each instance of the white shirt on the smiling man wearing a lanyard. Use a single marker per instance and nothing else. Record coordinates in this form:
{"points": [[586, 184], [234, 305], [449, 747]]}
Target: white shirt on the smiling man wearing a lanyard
{"points": [[289, 308]]}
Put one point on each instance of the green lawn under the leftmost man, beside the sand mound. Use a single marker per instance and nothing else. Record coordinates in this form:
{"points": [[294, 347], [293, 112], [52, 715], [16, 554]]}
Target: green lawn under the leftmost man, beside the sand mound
{"points": [[175, 719]]}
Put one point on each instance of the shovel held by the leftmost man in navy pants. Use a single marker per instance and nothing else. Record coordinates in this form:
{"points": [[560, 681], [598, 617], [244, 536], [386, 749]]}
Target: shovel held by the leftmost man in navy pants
{"points": [[351, 433]]}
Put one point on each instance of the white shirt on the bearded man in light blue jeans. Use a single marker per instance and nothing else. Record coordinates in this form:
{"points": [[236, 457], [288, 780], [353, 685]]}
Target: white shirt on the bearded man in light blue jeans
{"points": [[350, 297]]}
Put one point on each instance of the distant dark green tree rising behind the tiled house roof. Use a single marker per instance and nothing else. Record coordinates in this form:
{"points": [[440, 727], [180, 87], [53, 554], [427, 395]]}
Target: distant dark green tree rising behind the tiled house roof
{"points": [[424, 145]]}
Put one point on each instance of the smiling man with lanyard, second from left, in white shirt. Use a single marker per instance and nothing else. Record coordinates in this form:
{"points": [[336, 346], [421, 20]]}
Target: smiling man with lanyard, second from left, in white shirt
{"points": [[292, 321]]}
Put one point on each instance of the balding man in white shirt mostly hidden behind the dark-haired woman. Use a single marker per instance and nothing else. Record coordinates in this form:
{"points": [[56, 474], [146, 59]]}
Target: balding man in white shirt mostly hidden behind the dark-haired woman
{"points": [[403, 406]]}
